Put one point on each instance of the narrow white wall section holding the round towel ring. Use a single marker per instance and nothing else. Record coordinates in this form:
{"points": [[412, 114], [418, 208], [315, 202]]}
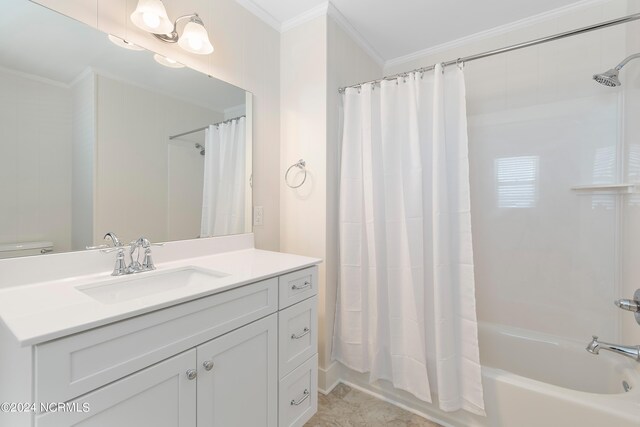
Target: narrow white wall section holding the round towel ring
{"points": [[303, 105]]}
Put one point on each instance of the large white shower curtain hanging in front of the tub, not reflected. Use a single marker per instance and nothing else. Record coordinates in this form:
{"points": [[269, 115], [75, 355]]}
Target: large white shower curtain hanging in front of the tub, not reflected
{"points": [[406, 300]]}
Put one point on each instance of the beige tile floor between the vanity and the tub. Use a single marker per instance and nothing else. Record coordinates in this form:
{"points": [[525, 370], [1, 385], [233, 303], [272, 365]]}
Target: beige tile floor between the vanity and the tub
{"points": [[346, 407]]}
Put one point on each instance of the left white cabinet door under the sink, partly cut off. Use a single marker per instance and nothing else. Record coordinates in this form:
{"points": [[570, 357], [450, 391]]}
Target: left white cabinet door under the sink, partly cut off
{"points": [[160, 396]]}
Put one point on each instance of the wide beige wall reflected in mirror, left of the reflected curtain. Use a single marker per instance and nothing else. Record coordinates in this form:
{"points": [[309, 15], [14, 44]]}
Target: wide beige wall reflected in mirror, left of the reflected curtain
{"points": [[132, 165]]}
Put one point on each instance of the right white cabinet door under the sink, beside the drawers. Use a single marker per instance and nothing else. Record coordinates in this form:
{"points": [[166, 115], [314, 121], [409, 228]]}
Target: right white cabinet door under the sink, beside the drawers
{"points": [[240, 387]]}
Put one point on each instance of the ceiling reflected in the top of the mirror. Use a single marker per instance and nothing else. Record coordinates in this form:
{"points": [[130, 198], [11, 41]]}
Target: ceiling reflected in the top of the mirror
{"points": [[62, 49]]}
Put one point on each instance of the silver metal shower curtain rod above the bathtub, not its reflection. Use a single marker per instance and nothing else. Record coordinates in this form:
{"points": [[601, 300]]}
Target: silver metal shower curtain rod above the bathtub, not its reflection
{"points": [[601, 25]]}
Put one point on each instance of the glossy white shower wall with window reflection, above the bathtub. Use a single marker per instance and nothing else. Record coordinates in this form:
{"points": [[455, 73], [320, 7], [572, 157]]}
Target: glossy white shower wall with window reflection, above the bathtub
{"points": [[549, 258]]}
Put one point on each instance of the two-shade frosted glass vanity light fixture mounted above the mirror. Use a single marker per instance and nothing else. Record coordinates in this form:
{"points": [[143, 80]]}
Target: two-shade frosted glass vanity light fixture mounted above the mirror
{"points": [[151, 16]]}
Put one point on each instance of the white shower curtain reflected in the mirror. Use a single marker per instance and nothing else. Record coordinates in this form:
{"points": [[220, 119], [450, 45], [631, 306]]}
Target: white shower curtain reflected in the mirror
{"points": [[223, 207]]}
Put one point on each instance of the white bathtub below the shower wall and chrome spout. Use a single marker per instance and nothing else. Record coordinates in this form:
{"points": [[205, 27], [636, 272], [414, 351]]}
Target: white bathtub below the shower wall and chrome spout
{"points": [[537, 380]]}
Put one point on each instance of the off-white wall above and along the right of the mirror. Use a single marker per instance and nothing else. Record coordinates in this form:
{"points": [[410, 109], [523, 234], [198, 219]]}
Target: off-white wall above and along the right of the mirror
{"points": [[247, 55]]}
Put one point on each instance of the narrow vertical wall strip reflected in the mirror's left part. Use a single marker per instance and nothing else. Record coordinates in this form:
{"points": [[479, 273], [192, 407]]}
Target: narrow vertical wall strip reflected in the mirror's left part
{"points": [[83, 141]]}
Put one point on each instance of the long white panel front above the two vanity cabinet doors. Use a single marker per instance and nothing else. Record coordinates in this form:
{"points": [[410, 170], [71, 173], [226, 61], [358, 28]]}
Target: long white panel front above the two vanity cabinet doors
{"points": [[71, 366]]}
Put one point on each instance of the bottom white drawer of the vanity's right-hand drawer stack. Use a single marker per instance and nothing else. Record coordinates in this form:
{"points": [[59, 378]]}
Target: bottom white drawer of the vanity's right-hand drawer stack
{"points": [[299, 394]]}
